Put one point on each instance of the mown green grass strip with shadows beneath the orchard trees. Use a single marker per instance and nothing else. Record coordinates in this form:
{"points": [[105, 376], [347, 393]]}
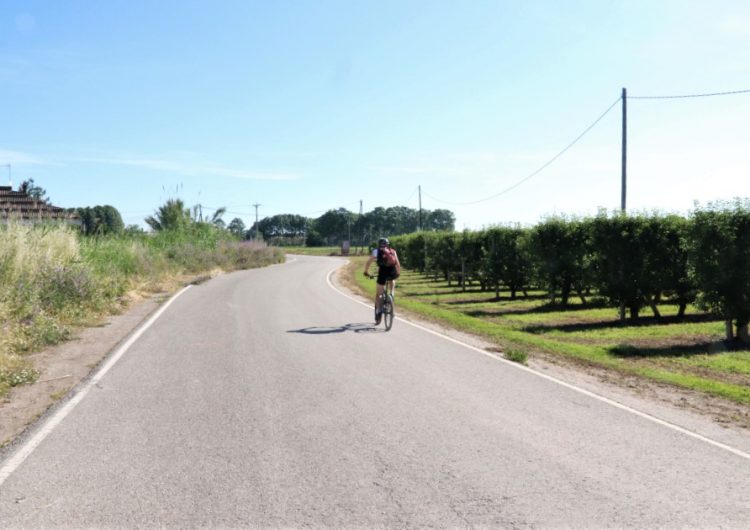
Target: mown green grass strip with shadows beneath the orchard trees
{"points": [[688, 353]]}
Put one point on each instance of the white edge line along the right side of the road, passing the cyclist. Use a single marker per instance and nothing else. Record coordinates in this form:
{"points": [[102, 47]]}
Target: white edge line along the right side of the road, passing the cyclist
{"points": [[583, 391]]}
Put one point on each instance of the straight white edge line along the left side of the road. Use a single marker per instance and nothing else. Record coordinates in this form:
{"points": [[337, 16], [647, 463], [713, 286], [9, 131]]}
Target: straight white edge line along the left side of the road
{"points": [[28, 447]]}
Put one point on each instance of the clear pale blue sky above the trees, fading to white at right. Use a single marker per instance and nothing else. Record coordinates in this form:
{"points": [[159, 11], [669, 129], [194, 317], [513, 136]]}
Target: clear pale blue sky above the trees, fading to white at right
{"points": [[305, 106]]}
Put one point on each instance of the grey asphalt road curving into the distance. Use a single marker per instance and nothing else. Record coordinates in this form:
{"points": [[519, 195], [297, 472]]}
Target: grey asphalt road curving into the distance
{"points": [[265, 398]]}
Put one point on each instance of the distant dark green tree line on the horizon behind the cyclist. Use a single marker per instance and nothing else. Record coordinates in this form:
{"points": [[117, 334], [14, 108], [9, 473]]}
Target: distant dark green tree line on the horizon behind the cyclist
{"points": [[338, 225]]}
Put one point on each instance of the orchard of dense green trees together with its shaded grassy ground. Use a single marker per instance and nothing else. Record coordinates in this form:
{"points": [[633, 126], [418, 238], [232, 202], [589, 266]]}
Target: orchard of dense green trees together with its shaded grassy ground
{"points": [[660, 297]]}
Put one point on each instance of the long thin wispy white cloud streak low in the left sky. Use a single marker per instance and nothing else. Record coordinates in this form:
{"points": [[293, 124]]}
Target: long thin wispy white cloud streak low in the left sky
{"points": [[195, 170]]}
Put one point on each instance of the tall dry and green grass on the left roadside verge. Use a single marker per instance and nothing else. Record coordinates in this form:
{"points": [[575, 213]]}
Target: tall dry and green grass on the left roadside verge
{"points": [[52, 278]]}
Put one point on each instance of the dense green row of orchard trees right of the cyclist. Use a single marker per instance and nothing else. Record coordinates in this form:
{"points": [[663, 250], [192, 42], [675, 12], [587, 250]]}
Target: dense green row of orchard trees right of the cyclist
{"points": [[630, 262]]}
